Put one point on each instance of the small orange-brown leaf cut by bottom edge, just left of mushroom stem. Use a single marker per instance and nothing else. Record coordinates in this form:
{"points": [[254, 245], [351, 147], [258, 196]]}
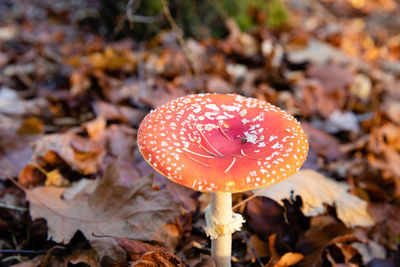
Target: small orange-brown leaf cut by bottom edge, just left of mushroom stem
{"points": [[159, 258]]}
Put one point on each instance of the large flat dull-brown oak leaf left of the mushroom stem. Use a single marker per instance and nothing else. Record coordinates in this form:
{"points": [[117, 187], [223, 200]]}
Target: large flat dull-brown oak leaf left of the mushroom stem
{"points": [[105, 207]]}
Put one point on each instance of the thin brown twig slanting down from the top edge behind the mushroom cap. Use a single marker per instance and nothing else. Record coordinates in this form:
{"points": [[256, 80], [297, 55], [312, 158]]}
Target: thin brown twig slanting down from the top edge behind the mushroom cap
{"points": [[179, 36]]}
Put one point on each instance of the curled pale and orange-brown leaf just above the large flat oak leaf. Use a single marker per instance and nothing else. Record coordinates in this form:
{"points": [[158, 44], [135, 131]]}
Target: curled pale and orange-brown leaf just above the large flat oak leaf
{"points": [[82, 154]]}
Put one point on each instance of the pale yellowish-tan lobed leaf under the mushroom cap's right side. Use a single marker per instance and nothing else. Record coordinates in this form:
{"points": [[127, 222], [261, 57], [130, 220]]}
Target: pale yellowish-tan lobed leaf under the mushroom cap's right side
{"points": [[315, 191]]}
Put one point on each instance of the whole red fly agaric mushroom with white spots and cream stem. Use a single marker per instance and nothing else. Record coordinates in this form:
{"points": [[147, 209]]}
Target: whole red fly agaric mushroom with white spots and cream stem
{"points": [[222, 144]]}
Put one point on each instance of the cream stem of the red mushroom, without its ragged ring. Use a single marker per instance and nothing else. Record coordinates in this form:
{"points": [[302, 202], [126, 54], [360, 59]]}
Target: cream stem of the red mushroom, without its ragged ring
{"points": [[221, 212]]}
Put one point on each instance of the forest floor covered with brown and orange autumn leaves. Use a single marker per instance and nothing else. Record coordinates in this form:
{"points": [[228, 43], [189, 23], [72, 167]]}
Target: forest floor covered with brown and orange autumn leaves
{"points": [[72, 99]]}
